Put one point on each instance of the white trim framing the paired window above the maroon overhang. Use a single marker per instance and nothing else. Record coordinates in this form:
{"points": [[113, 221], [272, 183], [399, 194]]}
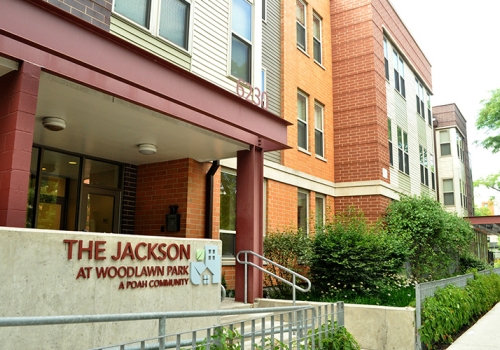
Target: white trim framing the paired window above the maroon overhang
{"points": [[154, 19]]}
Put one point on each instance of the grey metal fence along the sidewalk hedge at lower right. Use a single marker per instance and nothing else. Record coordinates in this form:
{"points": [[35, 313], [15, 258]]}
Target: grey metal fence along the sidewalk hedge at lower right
{"points": [[425, 290]]}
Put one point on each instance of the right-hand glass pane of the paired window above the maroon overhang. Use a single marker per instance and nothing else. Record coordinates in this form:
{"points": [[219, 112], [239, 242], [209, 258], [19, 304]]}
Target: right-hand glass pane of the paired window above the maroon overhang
{"points": [[174, 21]]}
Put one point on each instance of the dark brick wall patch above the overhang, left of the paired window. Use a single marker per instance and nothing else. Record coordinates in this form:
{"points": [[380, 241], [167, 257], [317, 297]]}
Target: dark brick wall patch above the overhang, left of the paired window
{"points": [[97, 12]]}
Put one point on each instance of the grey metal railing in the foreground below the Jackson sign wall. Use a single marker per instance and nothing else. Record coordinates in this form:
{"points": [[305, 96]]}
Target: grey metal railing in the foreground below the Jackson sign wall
{"points": [[309, 329]]}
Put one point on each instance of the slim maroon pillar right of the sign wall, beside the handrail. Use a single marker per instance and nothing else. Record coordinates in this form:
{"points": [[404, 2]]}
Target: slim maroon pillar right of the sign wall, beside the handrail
{"points": [[249, 219]]}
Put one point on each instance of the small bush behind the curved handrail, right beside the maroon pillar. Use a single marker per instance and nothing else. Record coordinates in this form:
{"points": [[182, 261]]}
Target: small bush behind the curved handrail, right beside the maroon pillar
{"points": [[291, 249]]}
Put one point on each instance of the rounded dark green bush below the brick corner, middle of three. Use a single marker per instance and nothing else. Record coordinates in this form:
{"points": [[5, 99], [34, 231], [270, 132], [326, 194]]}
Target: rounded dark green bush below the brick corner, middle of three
{"points": [[354, 256]]}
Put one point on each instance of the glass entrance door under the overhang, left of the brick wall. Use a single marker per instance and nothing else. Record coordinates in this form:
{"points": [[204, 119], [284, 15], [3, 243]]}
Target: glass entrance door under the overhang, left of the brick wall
{"points": [[99, 210]]}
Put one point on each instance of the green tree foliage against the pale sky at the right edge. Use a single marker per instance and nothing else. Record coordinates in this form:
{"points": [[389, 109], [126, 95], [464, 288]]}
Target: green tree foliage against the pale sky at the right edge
{"points": [[489, 118]]}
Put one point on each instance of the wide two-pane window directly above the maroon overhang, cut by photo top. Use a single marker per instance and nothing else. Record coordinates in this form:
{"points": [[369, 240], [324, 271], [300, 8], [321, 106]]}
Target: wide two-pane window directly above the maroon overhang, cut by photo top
{"points": [[168, 19]]}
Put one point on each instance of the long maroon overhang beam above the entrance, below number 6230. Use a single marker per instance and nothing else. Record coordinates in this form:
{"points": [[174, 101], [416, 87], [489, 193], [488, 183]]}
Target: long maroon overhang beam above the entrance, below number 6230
{"points": [[69, 47]]}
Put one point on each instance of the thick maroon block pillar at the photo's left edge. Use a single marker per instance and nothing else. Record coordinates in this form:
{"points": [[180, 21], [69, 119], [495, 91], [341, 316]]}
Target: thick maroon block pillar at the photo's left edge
{"points": [[18, 99]]}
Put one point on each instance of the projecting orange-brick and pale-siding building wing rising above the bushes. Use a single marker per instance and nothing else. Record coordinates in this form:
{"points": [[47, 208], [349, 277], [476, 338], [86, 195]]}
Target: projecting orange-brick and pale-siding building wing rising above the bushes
{"points": [[383, 134]]}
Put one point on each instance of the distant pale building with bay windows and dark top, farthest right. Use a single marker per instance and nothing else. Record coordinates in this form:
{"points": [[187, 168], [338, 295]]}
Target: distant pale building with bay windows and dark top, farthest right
{"points": [[454, 175]]}
